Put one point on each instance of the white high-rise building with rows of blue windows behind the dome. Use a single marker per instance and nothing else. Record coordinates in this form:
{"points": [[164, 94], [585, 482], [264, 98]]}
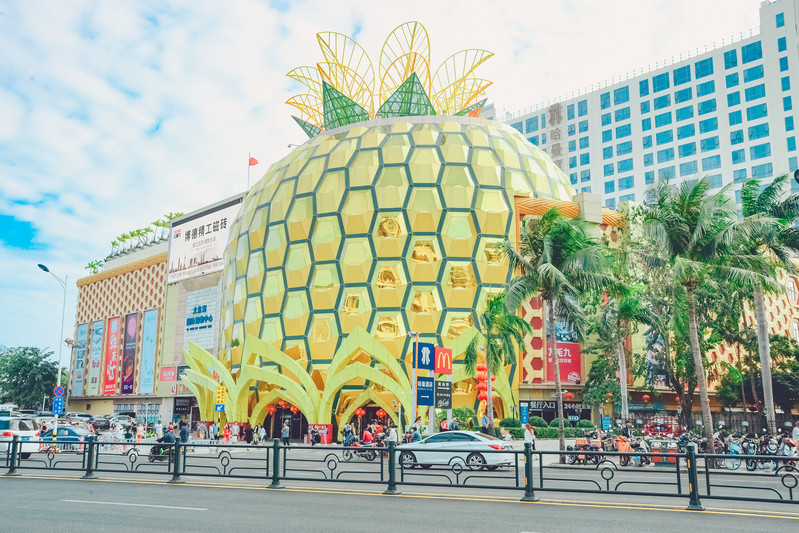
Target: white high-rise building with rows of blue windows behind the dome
{"points": [[727, 114]]}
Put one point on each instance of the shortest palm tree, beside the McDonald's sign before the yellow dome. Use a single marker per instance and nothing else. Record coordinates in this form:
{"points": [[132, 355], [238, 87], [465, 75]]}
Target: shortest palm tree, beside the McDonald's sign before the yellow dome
{"points": [[503, 334]]}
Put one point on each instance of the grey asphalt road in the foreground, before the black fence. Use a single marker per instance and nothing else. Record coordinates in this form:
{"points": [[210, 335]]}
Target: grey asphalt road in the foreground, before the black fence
{"points": [[149, 505]]}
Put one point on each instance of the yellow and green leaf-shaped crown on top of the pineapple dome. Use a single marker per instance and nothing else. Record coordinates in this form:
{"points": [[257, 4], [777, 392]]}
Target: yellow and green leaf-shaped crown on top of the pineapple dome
{"points": [[343, 89]]}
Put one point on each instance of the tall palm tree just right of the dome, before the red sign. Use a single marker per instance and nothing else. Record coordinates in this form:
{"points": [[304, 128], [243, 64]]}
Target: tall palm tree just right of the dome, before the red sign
{"points": [[558, 261]]}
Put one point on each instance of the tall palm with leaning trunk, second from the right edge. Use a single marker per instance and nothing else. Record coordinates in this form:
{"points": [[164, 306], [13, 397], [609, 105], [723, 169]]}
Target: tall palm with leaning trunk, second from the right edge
{"points": [[692, 235]]}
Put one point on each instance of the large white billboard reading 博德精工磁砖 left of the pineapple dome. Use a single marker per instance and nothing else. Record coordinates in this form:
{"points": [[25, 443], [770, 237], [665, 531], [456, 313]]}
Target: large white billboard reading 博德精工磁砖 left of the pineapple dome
{"points": [[197, 243]]}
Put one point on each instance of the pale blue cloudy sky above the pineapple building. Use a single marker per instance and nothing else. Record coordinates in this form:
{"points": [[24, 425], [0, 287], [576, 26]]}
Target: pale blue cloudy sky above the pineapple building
{"points": [[113, 113]]}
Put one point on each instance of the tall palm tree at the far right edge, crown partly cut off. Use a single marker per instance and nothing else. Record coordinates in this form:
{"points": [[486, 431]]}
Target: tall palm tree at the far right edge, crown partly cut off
{"points": [[777, 242]]}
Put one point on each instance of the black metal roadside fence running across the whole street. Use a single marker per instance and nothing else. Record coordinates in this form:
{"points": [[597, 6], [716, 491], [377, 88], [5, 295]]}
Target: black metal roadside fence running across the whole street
{"points": [[684, 475]]}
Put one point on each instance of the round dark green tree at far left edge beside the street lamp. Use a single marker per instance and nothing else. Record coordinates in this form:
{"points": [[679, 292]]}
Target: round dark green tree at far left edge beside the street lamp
{"points": [[27, 374]]}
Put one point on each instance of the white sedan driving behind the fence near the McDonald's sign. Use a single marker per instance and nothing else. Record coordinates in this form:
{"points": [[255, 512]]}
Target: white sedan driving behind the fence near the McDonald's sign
{"points": [[467, 448]]}
